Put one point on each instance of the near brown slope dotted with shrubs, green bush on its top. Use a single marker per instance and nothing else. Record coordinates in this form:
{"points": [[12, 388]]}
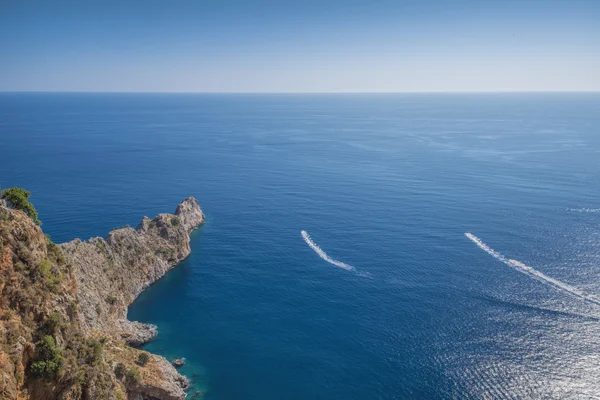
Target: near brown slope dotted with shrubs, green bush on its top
{"points": [[44, 350]]}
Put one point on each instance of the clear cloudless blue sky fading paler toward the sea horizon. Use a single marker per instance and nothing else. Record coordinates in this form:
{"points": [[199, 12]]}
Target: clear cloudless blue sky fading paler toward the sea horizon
{"points": [[300, 46]]}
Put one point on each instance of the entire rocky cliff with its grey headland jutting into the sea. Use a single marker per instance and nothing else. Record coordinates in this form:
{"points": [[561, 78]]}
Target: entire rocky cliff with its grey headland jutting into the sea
{"points": [[84, 289]]}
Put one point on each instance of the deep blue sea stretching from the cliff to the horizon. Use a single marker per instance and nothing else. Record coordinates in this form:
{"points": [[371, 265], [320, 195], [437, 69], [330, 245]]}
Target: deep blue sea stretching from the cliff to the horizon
{"points": [[386, 184]]}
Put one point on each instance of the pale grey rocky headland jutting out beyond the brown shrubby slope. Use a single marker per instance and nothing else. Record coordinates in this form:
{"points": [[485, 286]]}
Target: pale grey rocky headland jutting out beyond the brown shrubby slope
{"points": [[113, 271]]}
